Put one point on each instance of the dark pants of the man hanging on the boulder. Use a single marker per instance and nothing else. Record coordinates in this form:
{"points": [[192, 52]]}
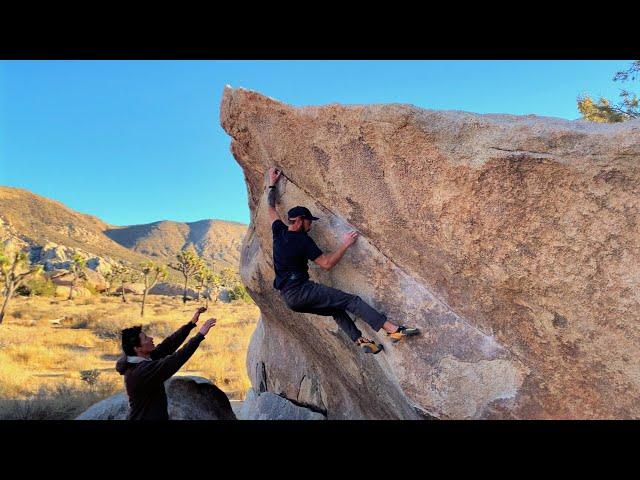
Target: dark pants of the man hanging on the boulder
{"points": [[311, 297]]}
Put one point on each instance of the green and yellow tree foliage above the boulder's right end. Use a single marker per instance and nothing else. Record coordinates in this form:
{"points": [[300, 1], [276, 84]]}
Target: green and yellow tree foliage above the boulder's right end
{"points": [[604, 111]]}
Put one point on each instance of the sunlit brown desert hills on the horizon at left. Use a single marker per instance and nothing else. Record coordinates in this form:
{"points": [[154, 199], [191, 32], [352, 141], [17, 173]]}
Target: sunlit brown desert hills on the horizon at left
{"points": [[54, 231]]}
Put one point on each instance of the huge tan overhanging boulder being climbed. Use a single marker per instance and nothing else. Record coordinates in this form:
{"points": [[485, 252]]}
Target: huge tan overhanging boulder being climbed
{"points": [[513, 242]]}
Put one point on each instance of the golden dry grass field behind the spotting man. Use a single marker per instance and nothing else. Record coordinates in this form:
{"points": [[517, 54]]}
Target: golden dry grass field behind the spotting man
{"points": [[46, 343]]}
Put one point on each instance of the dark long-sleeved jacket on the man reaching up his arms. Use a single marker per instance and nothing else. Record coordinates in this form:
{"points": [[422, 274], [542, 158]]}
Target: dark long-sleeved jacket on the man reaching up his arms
{"points": [[144, 381]]}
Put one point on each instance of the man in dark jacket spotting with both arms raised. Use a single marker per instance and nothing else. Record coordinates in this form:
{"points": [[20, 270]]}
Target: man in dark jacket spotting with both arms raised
{"points": [[146, 367]]}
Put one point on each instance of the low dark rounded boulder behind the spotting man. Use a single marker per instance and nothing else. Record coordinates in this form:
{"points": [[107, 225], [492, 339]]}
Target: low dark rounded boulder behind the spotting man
{"points": [[190, 398]]}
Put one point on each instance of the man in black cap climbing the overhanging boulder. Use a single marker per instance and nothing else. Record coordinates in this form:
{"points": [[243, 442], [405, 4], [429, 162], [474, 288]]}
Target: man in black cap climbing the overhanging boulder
{"points": [[292, 247]]}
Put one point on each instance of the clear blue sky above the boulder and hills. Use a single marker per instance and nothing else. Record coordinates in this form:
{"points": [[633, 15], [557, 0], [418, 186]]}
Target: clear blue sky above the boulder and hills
{"points": [[140, 141]]}
